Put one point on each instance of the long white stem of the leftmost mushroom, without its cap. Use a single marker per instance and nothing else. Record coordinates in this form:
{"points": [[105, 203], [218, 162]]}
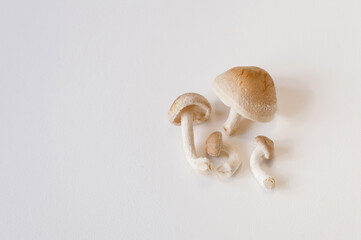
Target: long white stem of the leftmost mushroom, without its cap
{"points": [[201, 165]]}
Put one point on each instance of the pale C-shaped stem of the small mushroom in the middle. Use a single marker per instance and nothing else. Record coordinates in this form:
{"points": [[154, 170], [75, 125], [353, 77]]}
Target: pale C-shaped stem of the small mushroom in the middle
{"points": [[228, 168]]}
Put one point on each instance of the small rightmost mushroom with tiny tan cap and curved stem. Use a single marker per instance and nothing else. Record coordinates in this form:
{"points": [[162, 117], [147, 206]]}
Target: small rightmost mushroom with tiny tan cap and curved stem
{"points": [[264, 149]]}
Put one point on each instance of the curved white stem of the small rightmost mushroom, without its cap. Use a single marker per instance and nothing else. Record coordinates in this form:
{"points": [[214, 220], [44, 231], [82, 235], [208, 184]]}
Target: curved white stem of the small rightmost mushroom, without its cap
{"points": [[262, 177]]}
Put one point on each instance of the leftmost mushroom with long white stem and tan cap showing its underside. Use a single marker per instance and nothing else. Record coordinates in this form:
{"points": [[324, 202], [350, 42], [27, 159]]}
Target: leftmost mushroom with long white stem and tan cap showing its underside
{"points": [[186, 110]]}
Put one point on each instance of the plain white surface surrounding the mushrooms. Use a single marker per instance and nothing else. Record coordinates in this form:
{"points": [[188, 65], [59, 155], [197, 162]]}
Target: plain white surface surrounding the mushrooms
{"points": [[87, 152]]}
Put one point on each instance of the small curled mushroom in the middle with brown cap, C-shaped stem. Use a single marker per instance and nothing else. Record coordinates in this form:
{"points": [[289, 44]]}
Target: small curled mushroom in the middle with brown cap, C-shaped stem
{"points": [[214, 147]]}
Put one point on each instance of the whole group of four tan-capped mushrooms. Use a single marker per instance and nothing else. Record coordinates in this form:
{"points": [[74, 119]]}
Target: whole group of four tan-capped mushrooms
{"points": [[250, 93]]}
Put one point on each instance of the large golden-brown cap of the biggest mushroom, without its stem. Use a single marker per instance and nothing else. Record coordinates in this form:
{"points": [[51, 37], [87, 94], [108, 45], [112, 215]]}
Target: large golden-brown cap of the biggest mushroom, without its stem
{"points": [[248, 90]]}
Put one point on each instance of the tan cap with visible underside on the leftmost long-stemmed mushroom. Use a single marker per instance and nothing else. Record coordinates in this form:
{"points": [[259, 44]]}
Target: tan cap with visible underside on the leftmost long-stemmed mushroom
{"points": [[193, 102]]}
